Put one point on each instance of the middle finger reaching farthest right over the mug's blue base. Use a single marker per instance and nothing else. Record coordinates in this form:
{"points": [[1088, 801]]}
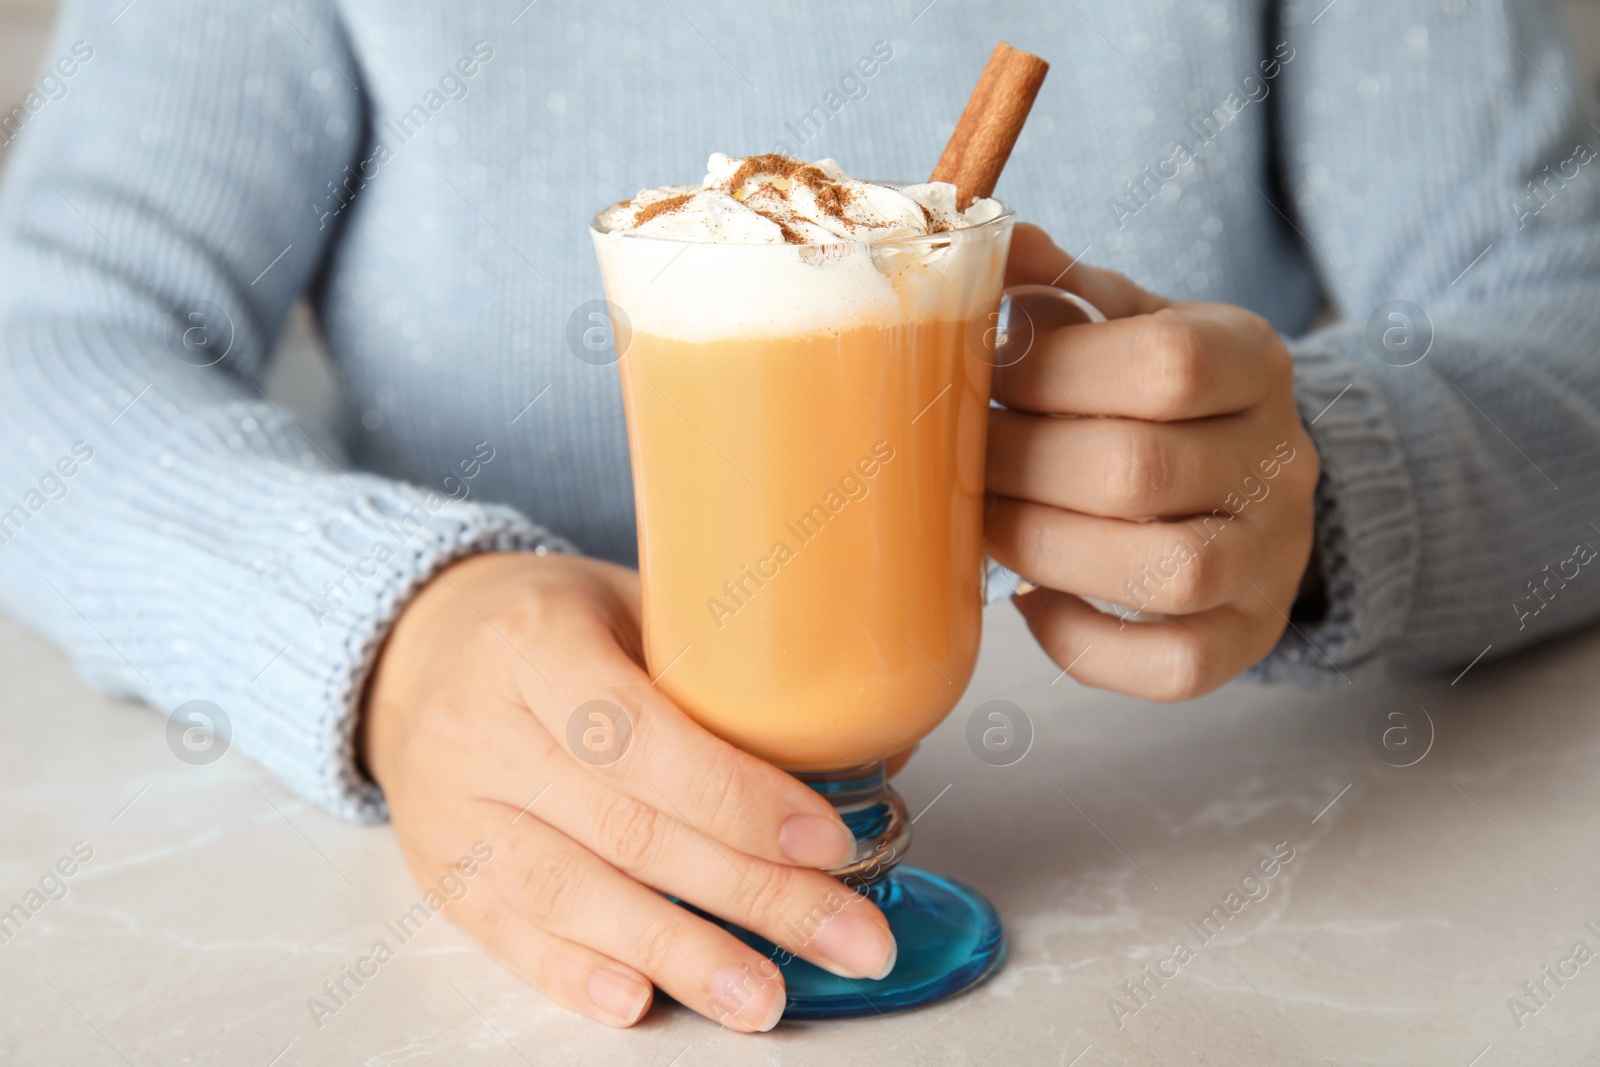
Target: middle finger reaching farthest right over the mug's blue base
{"points": [[802, 911]]}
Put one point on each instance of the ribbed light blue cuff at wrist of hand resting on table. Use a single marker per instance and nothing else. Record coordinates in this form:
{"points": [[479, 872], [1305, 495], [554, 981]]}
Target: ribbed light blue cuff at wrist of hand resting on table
{"points": [[346, 593]]}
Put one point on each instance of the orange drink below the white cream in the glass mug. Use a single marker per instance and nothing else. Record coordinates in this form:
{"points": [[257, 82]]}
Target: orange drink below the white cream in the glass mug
{"points": [[810, 516]]}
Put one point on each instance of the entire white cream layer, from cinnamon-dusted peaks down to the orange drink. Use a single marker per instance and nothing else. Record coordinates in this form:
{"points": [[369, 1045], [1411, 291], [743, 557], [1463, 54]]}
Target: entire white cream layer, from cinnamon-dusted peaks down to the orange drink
{"points": [[770, 247]]}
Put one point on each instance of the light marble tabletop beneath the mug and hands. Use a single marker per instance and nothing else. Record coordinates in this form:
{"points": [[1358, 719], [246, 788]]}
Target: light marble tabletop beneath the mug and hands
{"points": [[1417, 903]]}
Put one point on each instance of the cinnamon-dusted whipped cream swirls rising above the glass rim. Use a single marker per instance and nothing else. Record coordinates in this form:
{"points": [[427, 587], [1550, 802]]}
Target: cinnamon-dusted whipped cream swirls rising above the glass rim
{"points": [[780, 201]]}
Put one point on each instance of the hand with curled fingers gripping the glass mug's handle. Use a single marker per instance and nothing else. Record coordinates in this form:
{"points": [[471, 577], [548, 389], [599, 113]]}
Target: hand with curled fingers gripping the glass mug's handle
{"points": [[1202, 438]]}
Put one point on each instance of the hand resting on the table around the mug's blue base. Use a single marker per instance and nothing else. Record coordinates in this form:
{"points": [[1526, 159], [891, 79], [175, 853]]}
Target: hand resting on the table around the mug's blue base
{"points": [[466, 730]]}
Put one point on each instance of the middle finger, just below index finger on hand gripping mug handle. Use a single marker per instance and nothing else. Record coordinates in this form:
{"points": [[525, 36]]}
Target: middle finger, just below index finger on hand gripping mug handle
{"points": [[1126, 468]]}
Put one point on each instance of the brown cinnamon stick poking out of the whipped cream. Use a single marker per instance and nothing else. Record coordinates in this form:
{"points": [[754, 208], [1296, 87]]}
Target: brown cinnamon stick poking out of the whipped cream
{"points": [[991, 122]]}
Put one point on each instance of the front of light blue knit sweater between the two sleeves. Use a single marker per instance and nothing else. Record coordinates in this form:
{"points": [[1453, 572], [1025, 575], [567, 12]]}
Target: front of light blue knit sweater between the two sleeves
{"points": [[465, 254]]}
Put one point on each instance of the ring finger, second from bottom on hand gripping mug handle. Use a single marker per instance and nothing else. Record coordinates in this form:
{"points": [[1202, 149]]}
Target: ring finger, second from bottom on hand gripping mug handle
{"points": [[1182, 567]]}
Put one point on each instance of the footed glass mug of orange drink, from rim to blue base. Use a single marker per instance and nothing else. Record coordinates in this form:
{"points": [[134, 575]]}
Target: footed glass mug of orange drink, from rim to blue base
{"points": [[807, 430]]}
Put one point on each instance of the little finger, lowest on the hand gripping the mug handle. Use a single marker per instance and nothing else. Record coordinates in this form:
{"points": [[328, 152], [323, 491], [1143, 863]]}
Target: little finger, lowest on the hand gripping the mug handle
{"points": [[1159, 661]]}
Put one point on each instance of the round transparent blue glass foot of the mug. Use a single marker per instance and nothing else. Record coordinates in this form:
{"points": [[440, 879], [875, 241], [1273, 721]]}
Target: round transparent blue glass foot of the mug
{"points": [[948, 935]]}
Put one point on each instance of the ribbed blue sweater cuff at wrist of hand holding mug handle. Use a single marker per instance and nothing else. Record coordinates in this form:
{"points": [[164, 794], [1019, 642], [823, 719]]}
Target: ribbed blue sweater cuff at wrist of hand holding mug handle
{"points": [[1366, 513]]}
